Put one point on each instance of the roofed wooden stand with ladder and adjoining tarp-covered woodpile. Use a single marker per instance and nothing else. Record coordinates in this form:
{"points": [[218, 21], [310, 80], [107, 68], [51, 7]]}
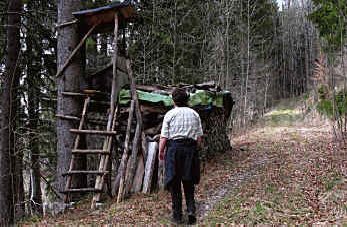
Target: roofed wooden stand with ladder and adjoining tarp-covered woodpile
{"points": [[134, 115]]}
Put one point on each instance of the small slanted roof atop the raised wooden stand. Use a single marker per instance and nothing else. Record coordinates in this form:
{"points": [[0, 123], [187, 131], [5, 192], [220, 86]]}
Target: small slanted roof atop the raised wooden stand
{"points": [[104, 17]]}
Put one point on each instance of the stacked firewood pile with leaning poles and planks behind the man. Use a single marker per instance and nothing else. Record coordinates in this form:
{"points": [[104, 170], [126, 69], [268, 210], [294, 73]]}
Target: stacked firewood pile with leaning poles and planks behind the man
{"points": [[135, 166]]}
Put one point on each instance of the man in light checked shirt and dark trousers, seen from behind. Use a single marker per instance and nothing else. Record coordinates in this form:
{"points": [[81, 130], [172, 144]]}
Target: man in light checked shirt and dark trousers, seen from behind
{"points": [[181, 134]]}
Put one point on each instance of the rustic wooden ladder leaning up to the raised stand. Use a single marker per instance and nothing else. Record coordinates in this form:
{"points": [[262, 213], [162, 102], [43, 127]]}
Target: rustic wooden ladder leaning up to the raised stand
{"points": [[104, 153]]}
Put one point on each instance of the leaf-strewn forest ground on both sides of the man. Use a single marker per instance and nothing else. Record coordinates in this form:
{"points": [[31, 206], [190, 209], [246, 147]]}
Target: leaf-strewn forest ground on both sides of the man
{"points": [[283, 171]]}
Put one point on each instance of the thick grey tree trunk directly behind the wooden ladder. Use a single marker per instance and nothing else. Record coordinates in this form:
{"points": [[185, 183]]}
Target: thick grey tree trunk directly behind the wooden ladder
{"points": [[68, 39]]}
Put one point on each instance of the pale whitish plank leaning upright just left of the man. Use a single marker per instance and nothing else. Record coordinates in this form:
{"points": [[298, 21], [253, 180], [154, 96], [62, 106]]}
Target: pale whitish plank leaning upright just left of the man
{"points": [[147, 181]]}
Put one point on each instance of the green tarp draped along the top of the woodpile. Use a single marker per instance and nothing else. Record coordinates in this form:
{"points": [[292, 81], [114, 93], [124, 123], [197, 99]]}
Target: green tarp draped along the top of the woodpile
{"points": [[199, 98]]}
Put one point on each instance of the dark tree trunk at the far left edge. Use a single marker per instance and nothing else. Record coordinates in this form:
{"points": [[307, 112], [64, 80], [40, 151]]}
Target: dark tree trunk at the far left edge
{"points": [[8, 114]]}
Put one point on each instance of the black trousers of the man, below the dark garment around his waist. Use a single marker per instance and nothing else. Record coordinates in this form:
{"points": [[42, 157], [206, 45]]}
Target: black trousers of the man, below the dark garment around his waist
{"points": [[175, 188]]}
